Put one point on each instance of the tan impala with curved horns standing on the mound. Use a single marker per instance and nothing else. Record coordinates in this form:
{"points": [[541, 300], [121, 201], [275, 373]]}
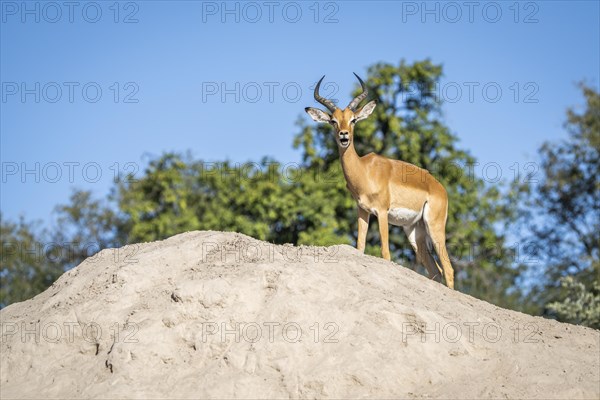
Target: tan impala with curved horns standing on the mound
{"points": [[396, 192]]}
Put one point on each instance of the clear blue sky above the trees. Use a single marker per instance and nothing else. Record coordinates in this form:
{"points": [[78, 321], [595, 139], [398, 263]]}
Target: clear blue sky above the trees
{"points": [[95, 88]]}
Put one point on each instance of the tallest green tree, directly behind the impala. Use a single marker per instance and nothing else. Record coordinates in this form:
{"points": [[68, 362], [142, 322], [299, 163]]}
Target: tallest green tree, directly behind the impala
{"points": [[407, 125]]}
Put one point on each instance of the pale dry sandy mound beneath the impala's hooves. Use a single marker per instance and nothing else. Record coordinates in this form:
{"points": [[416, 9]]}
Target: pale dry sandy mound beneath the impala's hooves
{"points": [[222, 315]]}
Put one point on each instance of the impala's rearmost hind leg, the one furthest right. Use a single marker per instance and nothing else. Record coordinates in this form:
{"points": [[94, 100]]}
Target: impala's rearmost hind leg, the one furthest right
{"points": [[435, 224]]}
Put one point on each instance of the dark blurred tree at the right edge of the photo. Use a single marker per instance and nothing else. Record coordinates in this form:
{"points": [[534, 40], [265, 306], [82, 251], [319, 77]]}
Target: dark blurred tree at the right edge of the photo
{"points": [[561, 216]]}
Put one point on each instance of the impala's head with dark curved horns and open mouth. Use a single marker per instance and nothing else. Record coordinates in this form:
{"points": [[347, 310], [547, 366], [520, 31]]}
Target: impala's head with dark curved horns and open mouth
{"points": [[343, 121]]}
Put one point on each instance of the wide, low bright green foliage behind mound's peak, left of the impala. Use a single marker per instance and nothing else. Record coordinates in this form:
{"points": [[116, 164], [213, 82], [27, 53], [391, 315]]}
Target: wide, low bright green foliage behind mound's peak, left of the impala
{"points": [[266, 200]]}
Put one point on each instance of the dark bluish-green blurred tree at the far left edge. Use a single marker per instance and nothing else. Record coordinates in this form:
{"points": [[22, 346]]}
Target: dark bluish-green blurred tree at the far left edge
{"points": [[32, 258]]}
